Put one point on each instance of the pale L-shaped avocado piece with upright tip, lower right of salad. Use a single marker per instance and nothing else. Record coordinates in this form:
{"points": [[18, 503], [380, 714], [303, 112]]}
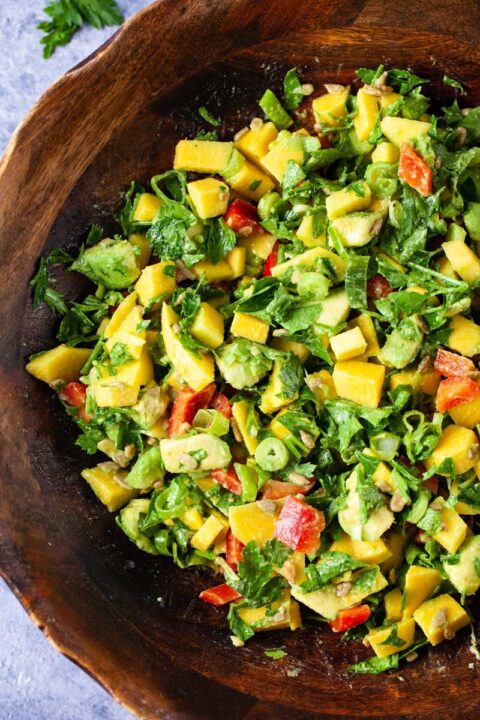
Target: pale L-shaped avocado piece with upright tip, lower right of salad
{"points": [[379, 519]]}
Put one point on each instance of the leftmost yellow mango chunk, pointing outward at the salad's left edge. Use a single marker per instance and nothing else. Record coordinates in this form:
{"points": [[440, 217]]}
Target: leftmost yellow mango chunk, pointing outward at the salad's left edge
{"points": [[60, 363]]}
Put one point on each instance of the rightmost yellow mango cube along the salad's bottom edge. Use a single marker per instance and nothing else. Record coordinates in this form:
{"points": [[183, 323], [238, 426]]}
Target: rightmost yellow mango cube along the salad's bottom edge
{"points": [[440, 617]]}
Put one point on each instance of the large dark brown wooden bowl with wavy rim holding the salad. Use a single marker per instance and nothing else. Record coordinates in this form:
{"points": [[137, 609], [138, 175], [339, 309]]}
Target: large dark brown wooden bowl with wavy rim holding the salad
{"points": [[131, 621]]}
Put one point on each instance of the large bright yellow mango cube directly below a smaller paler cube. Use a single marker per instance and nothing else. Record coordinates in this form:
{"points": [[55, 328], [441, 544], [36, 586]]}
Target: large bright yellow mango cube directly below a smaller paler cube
{"points": [[359, 381]]}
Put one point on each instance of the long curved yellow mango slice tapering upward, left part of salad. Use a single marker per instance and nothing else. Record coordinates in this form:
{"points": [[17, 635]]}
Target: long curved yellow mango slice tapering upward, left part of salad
{"points": [[197, 370]]}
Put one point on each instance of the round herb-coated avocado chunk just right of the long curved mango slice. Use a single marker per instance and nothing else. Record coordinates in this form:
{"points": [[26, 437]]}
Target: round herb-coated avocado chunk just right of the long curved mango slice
{"points": [[242, 363]]}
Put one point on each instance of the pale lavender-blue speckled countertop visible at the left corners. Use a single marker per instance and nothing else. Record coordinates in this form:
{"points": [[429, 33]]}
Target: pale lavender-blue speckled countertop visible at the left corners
{"points": [[36, 682]]}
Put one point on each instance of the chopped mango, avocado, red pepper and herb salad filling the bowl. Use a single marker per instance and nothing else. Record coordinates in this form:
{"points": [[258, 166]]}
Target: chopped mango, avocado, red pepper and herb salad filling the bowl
{"points": [[278, 361]]}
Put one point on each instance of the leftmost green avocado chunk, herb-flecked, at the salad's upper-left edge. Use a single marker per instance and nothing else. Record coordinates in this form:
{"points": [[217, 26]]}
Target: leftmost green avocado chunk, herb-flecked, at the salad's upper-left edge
{"points": [[112, 263]]}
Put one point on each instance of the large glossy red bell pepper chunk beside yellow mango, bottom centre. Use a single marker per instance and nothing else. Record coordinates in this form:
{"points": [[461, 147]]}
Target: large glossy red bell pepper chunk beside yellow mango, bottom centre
{"points": [[299, 525]]}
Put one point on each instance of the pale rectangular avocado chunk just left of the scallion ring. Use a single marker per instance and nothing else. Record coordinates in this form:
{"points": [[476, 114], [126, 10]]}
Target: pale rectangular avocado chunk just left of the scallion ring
{"points": [[194, 453]]}
